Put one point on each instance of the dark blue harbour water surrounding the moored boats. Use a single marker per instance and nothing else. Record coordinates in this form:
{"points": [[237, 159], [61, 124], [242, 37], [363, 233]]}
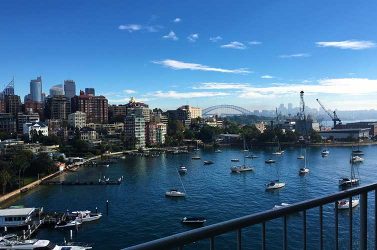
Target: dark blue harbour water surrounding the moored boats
{"points": [[139, 210]]}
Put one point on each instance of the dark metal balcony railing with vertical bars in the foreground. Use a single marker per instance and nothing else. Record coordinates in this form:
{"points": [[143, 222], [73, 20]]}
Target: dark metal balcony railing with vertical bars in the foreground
{"points": [[236, 225]]}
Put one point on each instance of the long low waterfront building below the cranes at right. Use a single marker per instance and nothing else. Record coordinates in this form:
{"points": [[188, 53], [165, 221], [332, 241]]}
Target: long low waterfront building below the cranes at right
{"points": [[342, 134]]}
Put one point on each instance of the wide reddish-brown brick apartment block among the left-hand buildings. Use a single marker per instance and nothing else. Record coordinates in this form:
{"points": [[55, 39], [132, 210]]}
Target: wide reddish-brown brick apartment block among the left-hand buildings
{"points": [[95, 107]]}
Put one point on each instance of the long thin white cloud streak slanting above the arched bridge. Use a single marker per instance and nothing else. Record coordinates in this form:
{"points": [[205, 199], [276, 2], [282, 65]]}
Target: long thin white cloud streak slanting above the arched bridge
{"points": [[178, 65]]}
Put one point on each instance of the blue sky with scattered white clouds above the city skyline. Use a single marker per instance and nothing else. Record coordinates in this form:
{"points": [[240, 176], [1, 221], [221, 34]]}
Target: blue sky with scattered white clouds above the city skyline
{"points": [[253, 54]]}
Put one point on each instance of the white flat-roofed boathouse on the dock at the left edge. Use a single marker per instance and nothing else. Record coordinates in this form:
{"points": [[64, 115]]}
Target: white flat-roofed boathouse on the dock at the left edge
{"points": [[16, 217]]}
